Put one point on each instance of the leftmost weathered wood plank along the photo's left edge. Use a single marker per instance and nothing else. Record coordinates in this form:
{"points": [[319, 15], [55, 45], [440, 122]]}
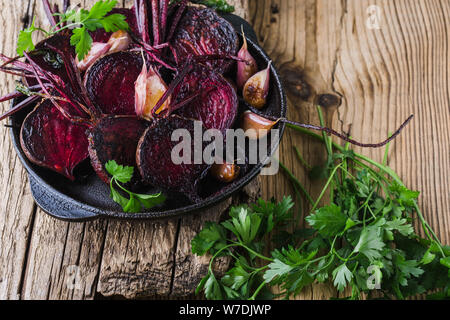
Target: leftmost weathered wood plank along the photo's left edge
{"points": [[17, 206]]}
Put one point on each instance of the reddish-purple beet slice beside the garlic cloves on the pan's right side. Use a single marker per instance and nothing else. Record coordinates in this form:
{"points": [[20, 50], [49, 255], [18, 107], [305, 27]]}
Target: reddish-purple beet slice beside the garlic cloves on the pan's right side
{"points": [[217, 103]]}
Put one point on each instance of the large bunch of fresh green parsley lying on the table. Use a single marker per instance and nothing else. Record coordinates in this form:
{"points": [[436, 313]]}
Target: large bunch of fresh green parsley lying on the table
{"points": [[362, 239]]}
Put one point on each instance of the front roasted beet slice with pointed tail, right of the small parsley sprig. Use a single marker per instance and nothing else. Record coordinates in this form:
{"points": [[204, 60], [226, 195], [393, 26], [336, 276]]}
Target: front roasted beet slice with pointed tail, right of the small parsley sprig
{"points": [[155, 161]]}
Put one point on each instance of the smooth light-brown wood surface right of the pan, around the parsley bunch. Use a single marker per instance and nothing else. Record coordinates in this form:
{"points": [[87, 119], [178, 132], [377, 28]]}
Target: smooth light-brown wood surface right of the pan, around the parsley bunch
{"points": [[382, 74]]}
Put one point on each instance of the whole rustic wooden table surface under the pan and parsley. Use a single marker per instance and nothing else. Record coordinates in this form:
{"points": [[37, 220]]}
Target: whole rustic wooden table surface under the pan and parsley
{"points": [[385, 59]]}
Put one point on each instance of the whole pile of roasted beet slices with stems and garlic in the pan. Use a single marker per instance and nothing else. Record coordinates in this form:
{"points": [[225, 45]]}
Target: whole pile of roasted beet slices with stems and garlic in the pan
{"points": [[176, 55]]}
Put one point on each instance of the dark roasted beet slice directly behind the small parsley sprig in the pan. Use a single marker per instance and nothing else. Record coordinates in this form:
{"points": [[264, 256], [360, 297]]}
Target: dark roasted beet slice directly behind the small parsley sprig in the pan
{"points": [[115, 138]]}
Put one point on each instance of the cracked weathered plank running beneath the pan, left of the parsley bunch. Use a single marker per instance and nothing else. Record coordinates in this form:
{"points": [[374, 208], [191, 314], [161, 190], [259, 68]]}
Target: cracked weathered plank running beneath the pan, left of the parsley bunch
{"points": [[75, 261]]}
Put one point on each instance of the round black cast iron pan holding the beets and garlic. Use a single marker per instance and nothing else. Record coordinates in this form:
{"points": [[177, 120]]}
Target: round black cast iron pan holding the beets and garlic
{"points": [[89, 198]]}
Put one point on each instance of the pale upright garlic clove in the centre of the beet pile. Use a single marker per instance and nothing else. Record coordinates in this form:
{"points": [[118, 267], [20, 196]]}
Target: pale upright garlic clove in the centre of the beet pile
{"points": [[149, 88]]}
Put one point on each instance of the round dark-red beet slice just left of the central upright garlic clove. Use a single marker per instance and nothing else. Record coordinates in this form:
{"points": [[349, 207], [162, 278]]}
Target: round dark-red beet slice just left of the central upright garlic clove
{"points": [[110, 82]]}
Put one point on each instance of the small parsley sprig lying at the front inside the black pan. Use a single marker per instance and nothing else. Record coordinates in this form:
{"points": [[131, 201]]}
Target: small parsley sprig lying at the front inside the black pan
{"points": [[135, 202]]}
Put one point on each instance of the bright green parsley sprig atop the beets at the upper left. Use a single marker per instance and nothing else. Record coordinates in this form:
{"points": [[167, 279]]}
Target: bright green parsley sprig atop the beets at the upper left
{"points": [[81, 22]]}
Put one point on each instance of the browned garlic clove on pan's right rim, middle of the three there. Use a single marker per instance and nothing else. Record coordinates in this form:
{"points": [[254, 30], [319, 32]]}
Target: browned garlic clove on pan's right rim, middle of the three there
{"points": [[256, 89]]}
